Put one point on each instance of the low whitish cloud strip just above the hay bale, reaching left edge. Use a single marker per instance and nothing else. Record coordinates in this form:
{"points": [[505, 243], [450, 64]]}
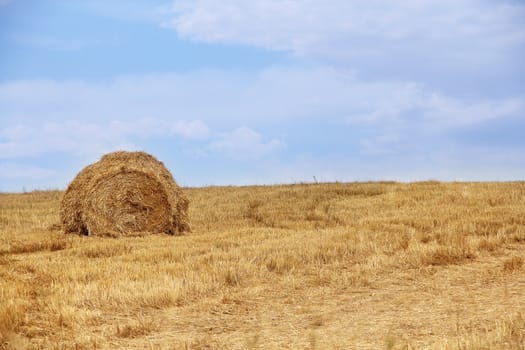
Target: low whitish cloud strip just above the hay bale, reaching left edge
{"points": [[90, 139]]}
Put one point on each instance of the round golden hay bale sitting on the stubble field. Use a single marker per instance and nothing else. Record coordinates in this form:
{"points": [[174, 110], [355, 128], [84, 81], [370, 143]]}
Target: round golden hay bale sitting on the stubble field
{"points": [[125, 193]]}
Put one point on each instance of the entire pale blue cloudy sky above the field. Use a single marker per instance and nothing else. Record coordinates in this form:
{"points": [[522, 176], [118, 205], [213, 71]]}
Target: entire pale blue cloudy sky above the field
{"points": [[274, 91]]}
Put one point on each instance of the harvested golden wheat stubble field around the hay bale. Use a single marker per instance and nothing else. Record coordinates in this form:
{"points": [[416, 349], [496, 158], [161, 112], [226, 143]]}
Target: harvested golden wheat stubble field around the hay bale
{"points": [[322, 266]]}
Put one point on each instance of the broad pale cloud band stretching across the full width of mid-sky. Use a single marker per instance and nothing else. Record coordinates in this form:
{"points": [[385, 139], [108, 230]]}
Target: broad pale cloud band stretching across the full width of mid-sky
{"points": [[184, 104]]}
